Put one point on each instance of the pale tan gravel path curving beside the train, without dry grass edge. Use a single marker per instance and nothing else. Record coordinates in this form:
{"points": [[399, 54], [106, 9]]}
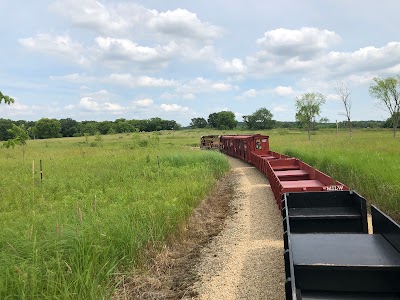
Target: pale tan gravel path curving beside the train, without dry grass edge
{"points": [[245, 261]]}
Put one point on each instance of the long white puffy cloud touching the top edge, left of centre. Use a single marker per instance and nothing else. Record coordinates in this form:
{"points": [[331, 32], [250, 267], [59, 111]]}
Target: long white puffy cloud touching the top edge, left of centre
{"points": [[127, 18]]}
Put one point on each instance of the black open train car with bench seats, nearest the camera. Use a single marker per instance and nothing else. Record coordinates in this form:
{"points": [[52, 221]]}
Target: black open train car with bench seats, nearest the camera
{"points": [[342, 261]]}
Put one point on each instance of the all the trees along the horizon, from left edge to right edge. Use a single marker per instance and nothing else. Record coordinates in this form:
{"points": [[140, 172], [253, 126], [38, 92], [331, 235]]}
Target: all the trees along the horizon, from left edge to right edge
{"points": [[308, 108]]}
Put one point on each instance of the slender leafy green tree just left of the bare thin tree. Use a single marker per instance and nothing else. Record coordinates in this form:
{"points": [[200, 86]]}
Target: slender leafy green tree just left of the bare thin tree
{"points": [[308, 107]]}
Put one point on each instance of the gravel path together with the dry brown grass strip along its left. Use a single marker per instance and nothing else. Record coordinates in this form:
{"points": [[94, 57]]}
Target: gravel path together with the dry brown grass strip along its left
{"points": [[231, 248]]}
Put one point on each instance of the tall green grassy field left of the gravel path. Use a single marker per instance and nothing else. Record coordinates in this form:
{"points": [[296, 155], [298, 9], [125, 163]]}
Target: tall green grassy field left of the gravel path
{"points": [[98, 207]]}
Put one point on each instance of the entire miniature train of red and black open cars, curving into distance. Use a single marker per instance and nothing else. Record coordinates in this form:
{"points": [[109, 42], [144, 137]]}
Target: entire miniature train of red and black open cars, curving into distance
{"points": [[328, 252]]}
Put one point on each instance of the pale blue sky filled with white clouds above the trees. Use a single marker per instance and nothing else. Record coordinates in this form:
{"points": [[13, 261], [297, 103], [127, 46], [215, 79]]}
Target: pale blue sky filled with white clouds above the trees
{"points": [[178, 60]]}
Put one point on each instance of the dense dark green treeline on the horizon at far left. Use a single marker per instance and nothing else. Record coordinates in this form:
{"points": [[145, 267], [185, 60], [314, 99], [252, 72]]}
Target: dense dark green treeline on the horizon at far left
{"points": [[52, 128]]}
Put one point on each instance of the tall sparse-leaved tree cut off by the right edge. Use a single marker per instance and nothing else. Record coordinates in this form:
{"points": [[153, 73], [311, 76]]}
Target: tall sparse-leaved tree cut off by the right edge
{"points": [[387, 91]]}
